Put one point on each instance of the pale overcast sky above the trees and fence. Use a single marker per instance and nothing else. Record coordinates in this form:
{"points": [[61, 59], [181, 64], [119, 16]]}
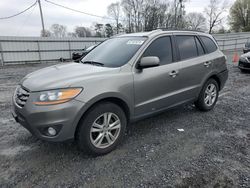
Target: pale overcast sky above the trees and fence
{"points": [[29, 23]]}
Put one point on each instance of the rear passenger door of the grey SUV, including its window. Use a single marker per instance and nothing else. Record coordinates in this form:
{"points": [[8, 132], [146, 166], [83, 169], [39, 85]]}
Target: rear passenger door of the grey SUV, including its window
{"points": [[195, 64]]}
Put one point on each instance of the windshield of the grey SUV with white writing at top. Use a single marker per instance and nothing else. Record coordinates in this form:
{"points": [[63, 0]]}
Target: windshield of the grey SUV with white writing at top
{"points": [[115, 52]]}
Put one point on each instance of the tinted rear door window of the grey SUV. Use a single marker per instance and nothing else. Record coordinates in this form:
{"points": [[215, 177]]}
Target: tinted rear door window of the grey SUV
{"points": [[187, 47]]}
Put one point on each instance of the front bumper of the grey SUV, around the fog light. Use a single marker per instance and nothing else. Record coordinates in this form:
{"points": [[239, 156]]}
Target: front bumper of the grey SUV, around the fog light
{"points": [[36, 119]]}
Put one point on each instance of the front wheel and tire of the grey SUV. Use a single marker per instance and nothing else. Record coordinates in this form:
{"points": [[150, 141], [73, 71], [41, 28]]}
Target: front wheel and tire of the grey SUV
{"points": [[102, 129]]}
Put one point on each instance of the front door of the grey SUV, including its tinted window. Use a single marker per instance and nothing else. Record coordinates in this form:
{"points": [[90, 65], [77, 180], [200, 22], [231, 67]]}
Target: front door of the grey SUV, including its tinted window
{"points": [[156, 87]]}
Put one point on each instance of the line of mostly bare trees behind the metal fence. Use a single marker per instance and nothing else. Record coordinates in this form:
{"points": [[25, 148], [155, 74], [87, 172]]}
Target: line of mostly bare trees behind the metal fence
{"points": [[145, 15]]}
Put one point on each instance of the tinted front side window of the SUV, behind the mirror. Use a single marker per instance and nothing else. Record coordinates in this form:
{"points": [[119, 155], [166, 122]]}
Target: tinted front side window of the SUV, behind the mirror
{"points": [[161, 48]]}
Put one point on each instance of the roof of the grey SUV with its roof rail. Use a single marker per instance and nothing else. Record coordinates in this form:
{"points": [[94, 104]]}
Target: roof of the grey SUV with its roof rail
{"points": [[162, 31]]}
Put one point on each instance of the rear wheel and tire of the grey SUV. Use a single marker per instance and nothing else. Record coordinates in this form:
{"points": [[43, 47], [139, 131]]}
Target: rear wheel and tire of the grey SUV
{"points": [[208, 95]]}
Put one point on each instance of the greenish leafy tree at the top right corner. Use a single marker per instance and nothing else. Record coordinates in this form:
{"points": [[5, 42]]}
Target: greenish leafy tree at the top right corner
{"points": [[239, 16]]}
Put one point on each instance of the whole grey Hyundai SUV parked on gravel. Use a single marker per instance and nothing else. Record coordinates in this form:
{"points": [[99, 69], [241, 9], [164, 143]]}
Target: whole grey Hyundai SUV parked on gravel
{"points": [[124, 79]]}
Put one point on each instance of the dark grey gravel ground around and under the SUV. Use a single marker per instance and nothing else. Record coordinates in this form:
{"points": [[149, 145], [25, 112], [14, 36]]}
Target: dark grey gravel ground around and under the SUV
{"points": [[213, 150]]}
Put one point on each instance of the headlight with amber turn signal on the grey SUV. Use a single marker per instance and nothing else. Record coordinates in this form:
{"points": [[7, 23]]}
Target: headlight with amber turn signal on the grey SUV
{"points": [[57, 96]]}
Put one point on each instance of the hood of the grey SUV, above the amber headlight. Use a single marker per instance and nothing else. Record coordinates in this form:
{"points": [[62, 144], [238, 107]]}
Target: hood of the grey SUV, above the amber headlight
{"points": [[63, 76]]}
